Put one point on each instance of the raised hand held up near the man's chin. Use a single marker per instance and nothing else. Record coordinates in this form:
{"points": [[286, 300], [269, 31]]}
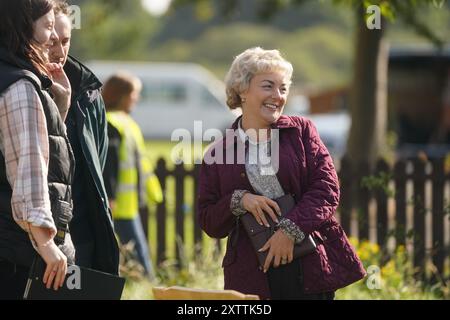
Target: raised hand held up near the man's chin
{"points": [[61, 88]]}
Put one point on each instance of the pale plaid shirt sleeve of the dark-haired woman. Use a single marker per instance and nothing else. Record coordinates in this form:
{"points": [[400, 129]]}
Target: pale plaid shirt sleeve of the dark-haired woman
{"points": [[24, 144]]}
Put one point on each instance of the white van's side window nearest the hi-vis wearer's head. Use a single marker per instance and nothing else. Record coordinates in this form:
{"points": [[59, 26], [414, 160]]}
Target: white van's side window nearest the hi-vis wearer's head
{"points": [[166, 93]]}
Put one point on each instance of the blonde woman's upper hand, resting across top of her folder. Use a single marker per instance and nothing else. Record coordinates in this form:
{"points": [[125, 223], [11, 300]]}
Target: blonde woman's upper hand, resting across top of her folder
{"points": [[259, 205]]}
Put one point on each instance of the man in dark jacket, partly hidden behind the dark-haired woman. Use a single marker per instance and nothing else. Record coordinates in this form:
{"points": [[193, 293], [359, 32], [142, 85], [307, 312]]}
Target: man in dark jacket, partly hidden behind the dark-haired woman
{"points": [[91, 226]]}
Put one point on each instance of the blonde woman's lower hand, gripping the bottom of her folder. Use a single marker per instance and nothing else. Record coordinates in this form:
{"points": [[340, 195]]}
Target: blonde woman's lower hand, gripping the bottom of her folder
{"points": [[281, 250]]}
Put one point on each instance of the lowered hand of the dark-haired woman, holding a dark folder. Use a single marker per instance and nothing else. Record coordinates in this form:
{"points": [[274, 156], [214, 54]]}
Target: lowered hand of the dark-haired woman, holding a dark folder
{"points": [[56, 261]]}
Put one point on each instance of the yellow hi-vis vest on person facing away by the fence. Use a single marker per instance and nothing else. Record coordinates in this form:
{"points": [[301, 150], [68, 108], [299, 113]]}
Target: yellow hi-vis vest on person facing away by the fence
{"points": [[132, 148]]}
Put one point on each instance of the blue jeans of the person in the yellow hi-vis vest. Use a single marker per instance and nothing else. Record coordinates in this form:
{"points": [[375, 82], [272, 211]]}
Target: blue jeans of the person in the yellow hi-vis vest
{"points": [[132, 230]]}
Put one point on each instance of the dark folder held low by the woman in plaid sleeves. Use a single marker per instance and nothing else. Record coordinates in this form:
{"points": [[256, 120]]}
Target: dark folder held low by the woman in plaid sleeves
{"points": [[80, 284]]}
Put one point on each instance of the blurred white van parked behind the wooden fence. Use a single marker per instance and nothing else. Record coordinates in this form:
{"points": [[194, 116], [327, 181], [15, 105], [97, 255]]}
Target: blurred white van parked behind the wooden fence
{"points": [[174, 95]]}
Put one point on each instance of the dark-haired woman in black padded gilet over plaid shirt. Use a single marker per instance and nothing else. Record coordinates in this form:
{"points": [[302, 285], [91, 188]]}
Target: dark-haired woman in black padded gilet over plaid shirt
{"points": [[36, 161]]}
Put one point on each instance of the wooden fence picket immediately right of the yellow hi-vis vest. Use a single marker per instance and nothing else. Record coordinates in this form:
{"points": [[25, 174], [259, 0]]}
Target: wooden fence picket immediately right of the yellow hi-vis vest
{"points": [[161, 209]]}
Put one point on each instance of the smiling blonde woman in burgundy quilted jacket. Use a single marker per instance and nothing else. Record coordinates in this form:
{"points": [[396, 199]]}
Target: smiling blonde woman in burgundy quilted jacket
{"points": [[258, 82]]}
